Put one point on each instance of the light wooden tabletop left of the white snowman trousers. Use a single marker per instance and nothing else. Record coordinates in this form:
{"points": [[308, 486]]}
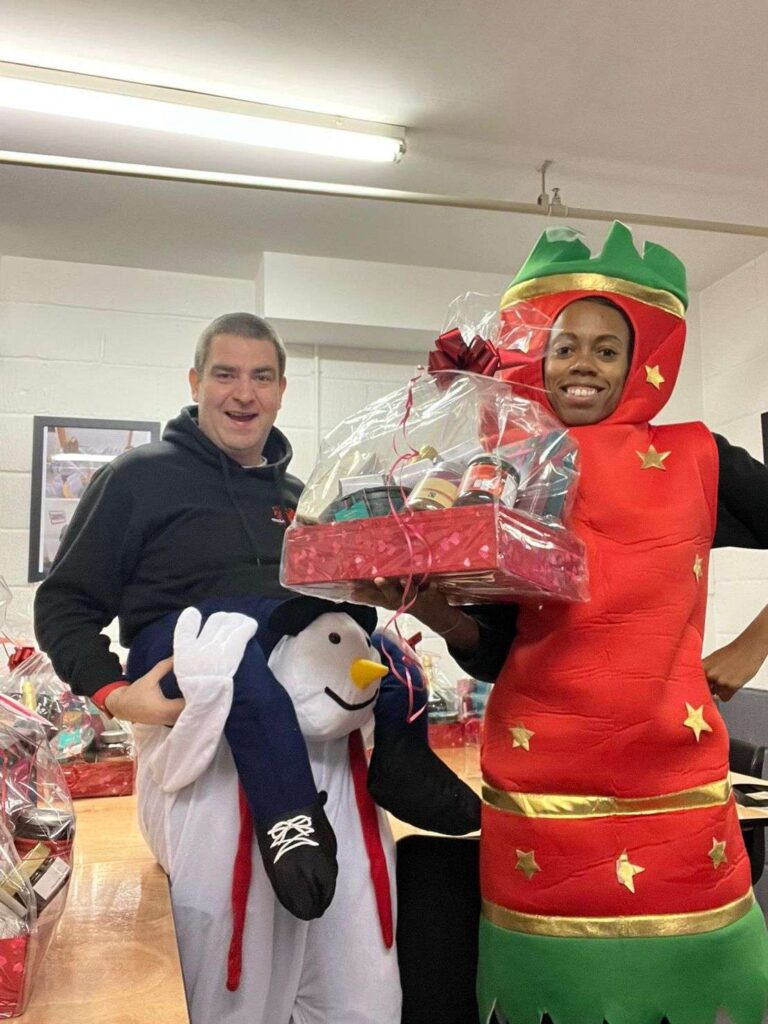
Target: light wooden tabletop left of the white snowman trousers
{"points": [[115, 958]]}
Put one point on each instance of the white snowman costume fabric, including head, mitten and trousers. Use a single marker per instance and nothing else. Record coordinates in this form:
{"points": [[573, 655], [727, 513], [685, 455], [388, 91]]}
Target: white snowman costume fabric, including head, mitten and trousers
{"points": [[334, 970]]}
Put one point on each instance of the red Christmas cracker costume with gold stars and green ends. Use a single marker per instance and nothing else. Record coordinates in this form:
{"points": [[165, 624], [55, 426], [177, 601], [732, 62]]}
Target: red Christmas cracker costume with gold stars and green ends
{"points": [[615, 881]]}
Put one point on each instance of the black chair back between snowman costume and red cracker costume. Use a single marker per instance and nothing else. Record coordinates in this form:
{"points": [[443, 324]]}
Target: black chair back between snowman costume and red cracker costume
{"points": [[439, 909]]}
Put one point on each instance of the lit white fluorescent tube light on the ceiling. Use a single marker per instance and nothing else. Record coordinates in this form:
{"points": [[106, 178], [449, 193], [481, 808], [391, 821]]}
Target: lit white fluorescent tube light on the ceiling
{"points": [[45, 91]]}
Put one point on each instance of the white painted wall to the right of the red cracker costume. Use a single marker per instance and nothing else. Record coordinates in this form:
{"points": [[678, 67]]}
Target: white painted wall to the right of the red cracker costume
{"points": [[735, 369]]}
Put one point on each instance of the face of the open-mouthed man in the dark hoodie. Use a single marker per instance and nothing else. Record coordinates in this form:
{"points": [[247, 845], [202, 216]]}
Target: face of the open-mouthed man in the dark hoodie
{"points": [[239, 395]]}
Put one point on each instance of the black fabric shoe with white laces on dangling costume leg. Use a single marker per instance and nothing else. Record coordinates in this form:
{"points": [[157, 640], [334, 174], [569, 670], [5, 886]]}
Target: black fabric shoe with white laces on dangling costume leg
{"points": [[300, 857]]}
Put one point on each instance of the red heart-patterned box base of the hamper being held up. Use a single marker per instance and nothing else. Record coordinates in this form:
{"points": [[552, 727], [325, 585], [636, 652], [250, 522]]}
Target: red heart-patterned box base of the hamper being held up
{"points": [[477, 552]]}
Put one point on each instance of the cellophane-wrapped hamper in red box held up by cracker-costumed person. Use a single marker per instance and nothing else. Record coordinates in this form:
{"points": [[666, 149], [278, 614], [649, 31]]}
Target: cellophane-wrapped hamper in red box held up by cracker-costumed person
{"points": [[453, 479]]}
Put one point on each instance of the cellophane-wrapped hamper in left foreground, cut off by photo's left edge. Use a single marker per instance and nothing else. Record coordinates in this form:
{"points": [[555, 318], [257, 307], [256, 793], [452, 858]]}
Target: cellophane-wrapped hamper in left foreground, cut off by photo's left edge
{"points": [[37, 831]]}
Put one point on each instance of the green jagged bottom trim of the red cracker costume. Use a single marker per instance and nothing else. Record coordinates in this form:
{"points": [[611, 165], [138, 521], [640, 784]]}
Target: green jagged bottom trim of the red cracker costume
{"points": [[686, 979]]}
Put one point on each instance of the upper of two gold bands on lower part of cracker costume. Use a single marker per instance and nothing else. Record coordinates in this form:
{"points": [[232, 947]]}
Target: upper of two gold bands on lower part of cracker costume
{"points": [[553, 805]]}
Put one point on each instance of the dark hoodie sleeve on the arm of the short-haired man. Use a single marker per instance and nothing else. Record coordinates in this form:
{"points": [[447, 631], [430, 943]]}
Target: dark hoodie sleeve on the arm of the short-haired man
{"points": [[81, 594]]}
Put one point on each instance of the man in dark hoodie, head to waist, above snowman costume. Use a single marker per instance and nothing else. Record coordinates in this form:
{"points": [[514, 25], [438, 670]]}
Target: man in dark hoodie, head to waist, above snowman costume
{"points": [[200, 515]]}
